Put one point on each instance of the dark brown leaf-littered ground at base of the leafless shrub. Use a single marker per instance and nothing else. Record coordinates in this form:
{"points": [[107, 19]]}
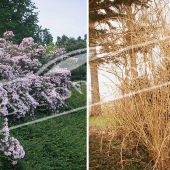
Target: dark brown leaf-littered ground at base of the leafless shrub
{"points": [[105, 151]]}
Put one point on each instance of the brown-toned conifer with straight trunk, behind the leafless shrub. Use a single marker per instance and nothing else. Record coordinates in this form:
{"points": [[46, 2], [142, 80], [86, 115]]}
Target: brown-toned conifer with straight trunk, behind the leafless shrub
{"points": [[103, 13]]}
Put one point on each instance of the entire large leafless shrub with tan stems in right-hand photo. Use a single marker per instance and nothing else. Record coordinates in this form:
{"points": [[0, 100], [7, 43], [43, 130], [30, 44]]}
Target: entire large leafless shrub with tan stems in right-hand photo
{"points": [[144, 116]]}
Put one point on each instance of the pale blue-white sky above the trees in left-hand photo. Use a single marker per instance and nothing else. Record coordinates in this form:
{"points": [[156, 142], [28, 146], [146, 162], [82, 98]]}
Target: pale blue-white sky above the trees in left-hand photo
{"points": [[67, 17]]}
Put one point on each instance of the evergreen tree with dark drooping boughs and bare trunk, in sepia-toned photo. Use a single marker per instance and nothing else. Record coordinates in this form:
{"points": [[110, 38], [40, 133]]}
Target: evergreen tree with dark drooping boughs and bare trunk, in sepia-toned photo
{"points": [[102, 12]]}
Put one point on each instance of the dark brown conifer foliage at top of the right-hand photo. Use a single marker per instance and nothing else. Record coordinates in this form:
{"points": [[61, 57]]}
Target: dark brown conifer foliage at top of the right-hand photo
{"points": [[106, 11]]}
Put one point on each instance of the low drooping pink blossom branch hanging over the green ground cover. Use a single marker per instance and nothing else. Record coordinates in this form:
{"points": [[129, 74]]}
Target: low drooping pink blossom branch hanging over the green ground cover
{"points": [[10, 146]]}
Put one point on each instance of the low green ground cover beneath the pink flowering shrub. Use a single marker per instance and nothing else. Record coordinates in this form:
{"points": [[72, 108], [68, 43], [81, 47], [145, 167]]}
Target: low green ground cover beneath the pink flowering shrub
{"points": [[54, 144]]}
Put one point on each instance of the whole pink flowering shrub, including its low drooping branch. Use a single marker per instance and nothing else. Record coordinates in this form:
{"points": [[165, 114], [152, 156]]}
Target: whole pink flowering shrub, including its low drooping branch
{"points": [[22, 90]]}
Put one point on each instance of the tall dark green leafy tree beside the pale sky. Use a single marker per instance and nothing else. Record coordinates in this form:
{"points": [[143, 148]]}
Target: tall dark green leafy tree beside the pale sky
{"points": [[18, 16]]}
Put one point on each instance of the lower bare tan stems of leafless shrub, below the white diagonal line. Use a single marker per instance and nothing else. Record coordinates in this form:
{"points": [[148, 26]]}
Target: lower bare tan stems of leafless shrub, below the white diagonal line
{"points": [[146, 115]]}
